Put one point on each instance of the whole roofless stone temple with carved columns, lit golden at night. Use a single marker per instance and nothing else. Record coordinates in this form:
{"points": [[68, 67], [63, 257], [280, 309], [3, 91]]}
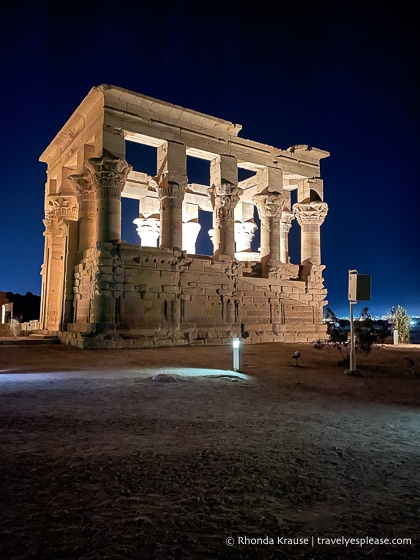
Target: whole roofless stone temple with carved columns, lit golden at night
{"points": [[98, 291]]}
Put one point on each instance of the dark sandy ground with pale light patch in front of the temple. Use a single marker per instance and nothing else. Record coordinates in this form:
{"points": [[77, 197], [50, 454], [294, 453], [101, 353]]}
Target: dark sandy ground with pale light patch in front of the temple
{"points": [[168, 454]]}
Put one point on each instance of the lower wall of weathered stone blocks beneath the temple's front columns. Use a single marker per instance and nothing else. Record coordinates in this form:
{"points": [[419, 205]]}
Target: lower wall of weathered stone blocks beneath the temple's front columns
{"points": [[131, 296]]}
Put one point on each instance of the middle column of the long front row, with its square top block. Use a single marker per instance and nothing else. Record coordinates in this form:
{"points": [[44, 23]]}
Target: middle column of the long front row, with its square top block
{"points": [[224, 193]]}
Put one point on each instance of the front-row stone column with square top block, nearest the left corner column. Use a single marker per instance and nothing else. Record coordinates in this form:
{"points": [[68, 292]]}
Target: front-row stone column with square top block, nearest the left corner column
{"points": [[172, 182]]}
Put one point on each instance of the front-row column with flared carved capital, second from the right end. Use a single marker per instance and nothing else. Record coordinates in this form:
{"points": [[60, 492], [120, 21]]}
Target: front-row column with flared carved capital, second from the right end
{"points": [[270, 207]]}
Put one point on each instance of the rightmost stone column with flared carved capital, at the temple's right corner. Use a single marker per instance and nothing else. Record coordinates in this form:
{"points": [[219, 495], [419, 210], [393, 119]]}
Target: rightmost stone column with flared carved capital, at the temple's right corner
{"points": [[310, 216]]}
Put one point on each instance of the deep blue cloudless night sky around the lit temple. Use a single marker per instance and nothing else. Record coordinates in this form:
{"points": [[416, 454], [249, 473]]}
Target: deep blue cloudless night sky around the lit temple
{"points": [[339, 76]]}
